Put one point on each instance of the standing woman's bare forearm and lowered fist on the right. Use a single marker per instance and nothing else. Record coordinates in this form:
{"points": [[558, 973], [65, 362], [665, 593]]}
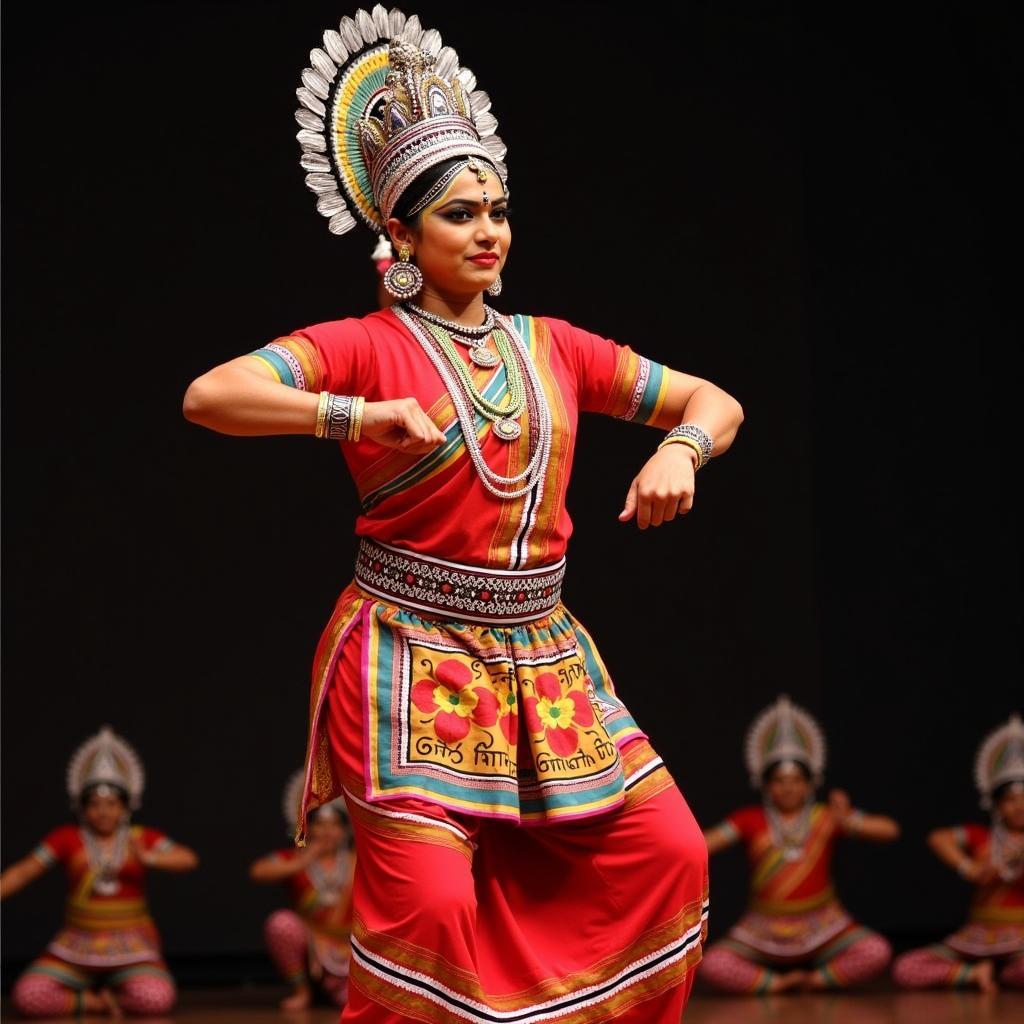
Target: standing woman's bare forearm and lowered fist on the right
{"points": [[664, 489]]}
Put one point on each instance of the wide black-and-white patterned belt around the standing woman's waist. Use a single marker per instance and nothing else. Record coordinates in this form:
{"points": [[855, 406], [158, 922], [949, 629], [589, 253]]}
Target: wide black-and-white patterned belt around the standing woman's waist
{"points": [[462, 593]]}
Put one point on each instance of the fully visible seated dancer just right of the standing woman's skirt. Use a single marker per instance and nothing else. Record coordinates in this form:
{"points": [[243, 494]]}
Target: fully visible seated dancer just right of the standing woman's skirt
{"points": [[795, 934]]}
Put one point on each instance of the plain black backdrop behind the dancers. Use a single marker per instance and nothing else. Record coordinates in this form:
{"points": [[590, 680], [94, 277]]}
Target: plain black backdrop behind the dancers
{"points": [[815, 211]]}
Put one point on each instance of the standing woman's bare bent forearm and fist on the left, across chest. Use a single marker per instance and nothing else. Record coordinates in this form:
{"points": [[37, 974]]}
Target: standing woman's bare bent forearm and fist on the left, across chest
{"points": [[241, 398]]}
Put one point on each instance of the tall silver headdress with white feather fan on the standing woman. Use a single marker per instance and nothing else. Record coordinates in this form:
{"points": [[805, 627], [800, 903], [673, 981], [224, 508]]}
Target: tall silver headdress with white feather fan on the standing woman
{"points": [[383, 102]]}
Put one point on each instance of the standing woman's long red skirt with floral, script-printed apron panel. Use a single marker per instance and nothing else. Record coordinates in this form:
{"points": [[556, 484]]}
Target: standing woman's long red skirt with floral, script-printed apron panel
{"points": [[524, 856]]}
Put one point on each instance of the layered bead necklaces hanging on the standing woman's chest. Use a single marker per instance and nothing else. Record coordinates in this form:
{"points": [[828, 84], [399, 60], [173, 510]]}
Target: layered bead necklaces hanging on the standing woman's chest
{"points": [[526, 391]]}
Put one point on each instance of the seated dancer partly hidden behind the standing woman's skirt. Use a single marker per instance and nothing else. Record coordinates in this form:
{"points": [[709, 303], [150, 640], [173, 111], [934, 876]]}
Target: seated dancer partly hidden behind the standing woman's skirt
{"points": [[310, 944]]}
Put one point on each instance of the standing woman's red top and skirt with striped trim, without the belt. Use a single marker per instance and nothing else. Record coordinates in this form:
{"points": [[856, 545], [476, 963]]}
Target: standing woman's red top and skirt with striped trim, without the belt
{"points": [[596, 912]]}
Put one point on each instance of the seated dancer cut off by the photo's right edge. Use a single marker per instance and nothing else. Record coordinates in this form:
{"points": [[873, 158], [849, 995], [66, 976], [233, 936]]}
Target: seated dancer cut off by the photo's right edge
{"points": [[992, 944]]}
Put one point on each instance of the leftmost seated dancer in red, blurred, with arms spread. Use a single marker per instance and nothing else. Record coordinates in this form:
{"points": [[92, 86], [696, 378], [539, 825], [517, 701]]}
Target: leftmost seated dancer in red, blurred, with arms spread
{"points": [[107, 959]]}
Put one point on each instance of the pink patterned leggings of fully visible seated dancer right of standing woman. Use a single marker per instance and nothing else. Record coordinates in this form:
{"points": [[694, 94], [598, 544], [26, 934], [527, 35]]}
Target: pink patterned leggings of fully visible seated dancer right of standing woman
{"points": [[841, 965]]}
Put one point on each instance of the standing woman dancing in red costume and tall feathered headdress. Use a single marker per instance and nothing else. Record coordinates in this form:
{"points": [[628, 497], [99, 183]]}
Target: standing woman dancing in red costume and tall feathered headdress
{"points": [[523, 852]]}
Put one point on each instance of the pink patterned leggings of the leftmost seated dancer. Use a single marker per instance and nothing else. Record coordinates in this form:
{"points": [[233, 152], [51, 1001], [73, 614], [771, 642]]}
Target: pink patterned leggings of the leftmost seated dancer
{"points": [[52, 989]]}
